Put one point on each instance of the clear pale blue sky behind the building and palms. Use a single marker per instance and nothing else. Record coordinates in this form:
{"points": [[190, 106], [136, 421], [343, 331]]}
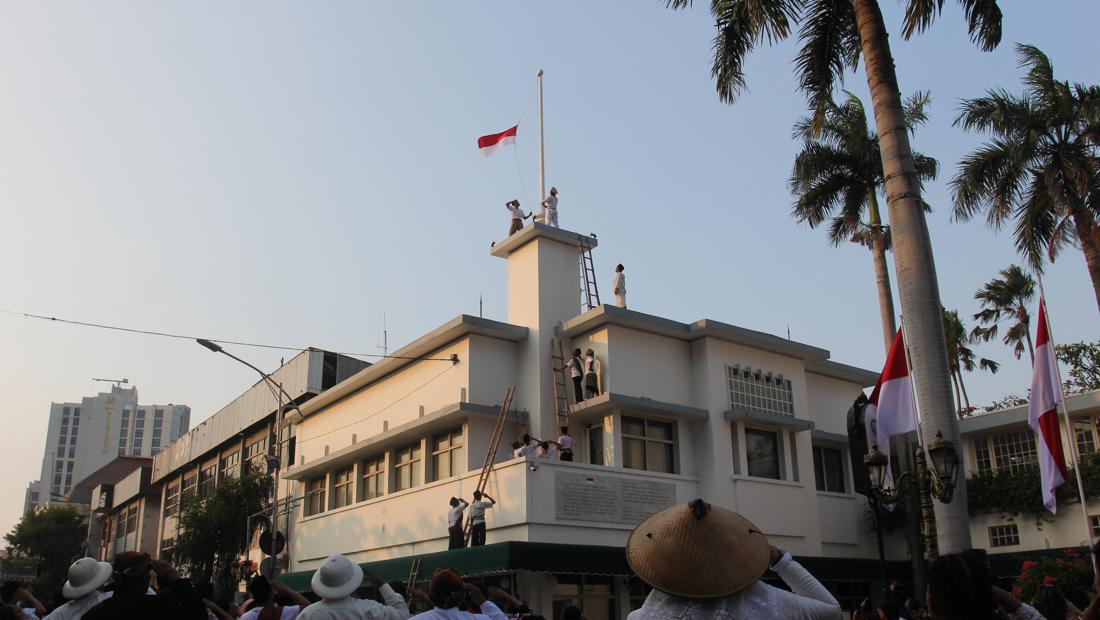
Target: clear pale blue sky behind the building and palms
{"points": [[289, 173]]}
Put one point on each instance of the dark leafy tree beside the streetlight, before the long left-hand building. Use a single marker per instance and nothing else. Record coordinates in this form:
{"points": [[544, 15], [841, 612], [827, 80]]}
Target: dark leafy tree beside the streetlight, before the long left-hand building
{"points": [[214, 529]]}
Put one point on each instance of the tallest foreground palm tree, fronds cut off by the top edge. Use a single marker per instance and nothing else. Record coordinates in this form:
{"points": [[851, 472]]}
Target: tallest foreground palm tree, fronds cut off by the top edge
{"points": [[834, 36]]}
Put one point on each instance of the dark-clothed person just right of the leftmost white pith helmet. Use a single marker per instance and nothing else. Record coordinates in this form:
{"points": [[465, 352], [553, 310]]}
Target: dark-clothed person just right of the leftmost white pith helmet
{"points": [[178, 599]]}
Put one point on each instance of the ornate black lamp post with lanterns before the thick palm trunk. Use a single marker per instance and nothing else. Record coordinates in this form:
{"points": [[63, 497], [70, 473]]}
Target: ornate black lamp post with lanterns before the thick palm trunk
{"points": [[937, 482]]}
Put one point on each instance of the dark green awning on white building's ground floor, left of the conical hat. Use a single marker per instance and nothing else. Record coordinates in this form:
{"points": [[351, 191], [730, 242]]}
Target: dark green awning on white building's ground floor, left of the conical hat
{"points": [[494, 559]]}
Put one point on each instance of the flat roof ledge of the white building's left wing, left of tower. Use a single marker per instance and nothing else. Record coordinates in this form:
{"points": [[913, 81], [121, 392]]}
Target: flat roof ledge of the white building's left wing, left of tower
{"points": [[461, 326]]}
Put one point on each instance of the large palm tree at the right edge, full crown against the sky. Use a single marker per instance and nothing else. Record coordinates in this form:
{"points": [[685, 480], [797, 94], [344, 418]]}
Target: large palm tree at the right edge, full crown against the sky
{"points": [[1041, 168]]}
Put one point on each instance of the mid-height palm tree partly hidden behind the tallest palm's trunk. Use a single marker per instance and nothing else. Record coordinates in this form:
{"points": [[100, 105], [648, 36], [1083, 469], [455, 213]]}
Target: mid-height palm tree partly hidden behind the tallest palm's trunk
{"points": [[838, 179]]}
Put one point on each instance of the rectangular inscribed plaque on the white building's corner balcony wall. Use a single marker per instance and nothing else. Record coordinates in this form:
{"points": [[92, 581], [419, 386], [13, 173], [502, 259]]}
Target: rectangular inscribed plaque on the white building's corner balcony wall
{"points": [[611, 500]]}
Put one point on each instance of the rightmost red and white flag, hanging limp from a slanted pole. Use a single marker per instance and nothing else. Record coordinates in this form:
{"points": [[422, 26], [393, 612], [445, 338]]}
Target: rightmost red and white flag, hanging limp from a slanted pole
{"points": [[1043, 413]]}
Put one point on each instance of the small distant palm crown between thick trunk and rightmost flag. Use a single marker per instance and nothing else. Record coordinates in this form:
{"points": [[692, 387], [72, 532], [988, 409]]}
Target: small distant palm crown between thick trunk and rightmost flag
{"points": [[1007, 298]]}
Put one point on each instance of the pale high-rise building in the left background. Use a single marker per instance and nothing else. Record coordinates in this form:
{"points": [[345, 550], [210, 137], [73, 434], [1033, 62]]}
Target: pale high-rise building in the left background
{"points": [[84, 437]]}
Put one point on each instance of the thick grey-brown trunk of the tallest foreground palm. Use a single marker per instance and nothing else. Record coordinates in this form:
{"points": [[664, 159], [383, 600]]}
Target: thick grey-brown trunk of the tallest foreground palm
{"points": [[918, 286]]}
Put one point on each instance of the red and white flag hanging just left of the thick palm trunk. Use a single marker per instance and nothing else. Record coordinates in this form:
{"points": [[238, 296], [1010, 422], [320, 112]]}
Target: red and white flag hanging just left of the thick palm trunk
{"points": [[892, 412]]}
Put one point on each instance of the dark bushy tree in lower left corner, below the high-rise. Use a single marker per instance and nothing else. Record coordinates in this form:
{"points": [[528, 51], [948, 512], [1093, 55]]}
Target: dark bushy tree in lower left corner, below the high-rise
{"points": [[54, 537]]}
